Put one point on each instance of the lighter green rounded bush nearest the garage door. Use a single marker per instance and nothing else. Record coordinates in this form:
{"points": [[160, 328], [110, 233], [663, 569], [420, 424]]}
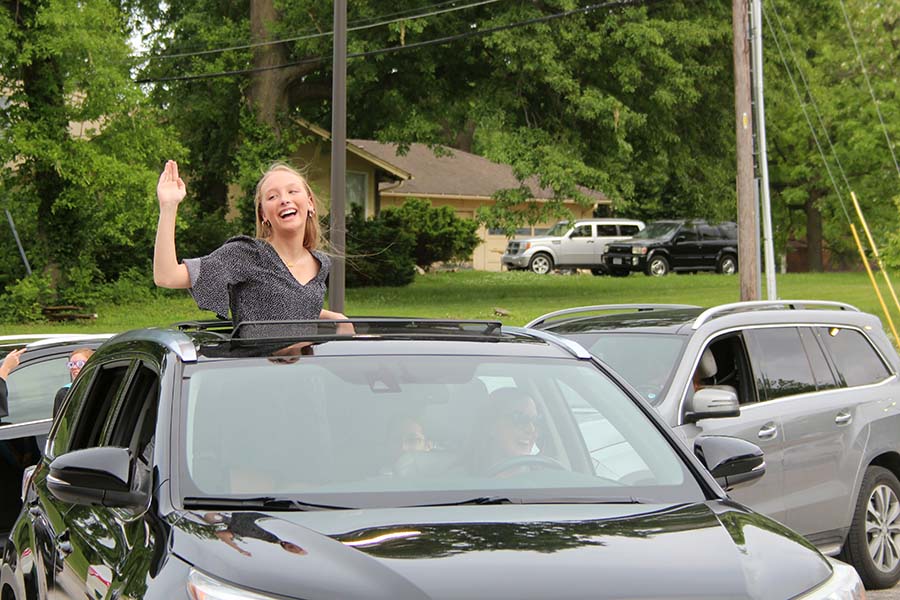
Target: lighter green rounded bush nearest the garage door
{"points": [[440, 235]]}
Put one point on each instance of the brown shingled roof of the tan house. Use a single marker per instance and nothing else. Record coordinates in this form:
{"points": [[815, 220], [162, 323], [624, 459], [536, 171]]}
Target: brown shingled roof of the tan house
{"points": [[455, 174]]}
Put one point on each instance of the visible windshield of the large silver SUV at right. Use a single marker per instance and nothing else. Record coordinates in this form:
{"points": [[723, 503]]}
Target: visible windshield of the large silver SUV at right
{"points": [[646, 361]]}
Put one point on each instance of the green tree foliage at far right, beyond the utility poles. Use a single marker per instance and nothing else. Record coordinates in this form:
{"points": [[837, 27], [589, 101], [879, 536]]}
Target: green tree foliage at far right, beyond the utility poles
{"points": [[828, 106]]}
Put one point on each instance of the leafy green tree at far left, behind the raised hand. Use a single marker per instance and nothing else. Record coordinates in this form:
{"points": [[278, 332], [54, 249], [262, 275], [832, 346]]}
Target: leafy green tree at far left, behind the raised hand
{"points": [[80, 144]]}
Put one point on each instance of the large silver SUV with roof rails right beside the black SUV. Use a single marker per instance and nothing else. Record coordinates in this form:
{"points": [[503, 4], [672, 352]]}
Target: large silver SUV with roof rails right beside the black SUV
{"points": [[814, 384]]}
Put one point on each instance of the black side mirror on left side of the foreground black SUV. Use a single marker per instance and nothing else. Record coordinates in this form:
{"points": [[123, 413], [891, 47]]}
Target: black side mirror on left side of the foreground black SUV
{"points": [[99, 477]]}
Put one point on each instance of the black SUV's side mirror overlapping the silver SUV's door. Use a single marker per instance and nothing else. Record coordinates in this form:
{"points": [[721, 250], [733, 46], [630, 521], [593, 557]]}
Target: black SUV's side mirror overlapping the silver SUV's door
{"points": [[732, 461]]}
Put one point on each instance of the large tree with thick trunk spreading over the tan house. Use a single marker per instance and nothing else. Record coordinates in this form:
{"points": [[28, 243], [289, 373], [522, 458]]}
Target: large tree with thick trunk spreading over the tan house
{"points": [[635, 102]]}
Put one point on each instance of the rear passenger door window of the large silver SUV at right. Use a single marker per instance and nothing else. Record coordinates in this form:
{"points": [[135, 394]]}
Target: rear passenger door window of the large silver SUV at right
{"points": [[782, 362]]}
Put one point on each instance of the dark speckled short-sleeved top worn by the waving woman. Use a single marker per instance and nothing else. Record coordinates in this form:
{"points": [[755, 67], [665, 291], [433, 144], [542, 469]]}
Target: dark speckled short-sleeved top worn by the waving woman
{"points": [[246, 276]]}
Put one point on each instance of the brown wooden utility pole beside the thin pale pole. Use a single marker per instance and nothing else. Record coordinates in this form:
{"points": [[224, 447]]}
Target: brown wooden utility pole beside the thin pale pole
{"points": [[748, 218]]}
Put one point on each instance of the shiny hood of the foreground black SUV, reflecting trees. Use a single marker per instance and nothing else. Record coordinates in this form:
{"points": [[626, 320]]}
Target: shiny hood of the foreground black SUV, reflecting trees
{"points": [[707, 550]]}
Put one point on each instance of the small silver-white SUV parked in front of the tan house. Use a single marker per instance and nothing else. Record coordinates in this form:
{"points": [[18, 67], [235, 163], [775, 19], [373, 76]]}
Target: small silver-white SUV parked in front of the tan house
{"points": [[569, 244]]}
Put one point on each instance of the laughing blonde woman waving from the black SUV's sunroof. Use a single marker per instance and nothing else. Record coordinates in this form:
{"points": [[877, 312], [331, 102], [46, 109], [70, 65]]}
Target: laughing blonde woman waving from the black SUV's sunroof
{"points": [[277, 276]]}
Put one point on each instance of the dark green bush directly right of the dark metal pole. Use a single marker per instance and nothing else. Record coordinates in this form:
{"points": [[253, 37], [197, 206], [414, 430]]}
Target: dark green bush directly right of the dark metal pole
{"points": [[378, 253]]}
